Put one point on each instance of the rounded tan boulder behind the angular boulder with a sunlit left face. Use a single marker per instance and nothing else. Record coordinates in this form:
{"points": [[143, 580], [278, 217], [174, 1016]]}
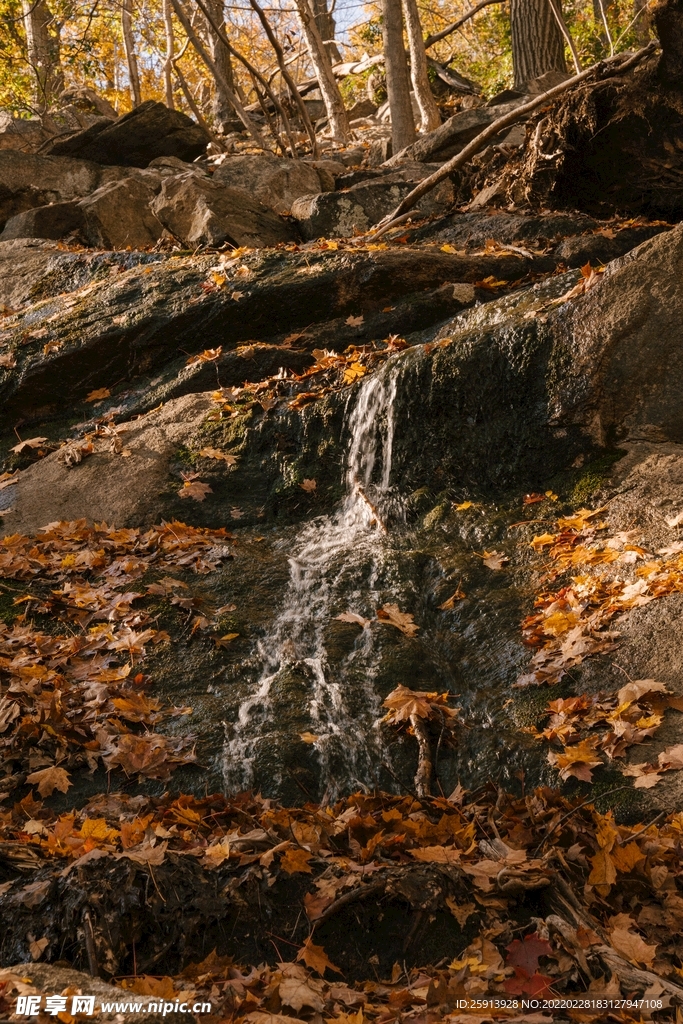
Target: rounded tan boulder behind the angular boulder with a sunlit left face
{"points": [[276, 183]]}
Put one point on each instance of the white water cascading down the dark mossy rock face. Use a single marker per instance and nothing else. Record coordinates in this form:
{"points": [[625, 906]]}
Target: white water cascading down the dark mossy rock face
{"points": [[334, 568]]}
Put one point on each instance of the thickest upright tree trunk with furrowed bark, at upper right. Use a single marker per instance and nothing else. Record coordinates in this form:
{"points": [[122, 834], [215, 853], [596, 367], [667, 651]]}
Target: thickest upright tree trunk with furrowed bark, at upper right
{"points": [[538, 45]]}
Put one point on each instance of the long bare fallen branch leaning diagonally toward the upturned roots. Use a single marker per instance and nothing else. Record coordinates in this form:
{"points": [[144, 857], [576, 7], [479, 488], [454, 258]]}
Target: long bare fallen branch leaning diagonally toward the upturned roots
{"points": [[603, 68]]}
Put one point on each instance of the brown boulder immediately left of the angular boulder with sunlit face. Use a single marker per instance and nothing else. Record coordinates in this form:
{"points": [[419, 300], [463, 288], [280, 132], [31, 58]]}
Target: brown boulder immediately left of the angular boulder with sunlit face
{"points": [[119, 217]]}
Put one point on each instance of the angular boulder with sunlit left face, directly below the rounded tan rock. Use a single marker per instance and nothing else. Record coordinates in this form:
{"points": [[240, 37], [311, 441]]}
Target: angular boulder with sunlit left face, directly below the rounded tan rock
{"points": [[200, 212]]}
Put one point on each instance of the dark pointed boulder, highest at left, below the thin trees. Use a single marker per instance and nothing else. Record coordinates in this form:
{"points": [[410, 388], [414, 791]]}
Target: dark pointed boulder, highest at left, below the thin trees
{"points": [[150, 131]]}
